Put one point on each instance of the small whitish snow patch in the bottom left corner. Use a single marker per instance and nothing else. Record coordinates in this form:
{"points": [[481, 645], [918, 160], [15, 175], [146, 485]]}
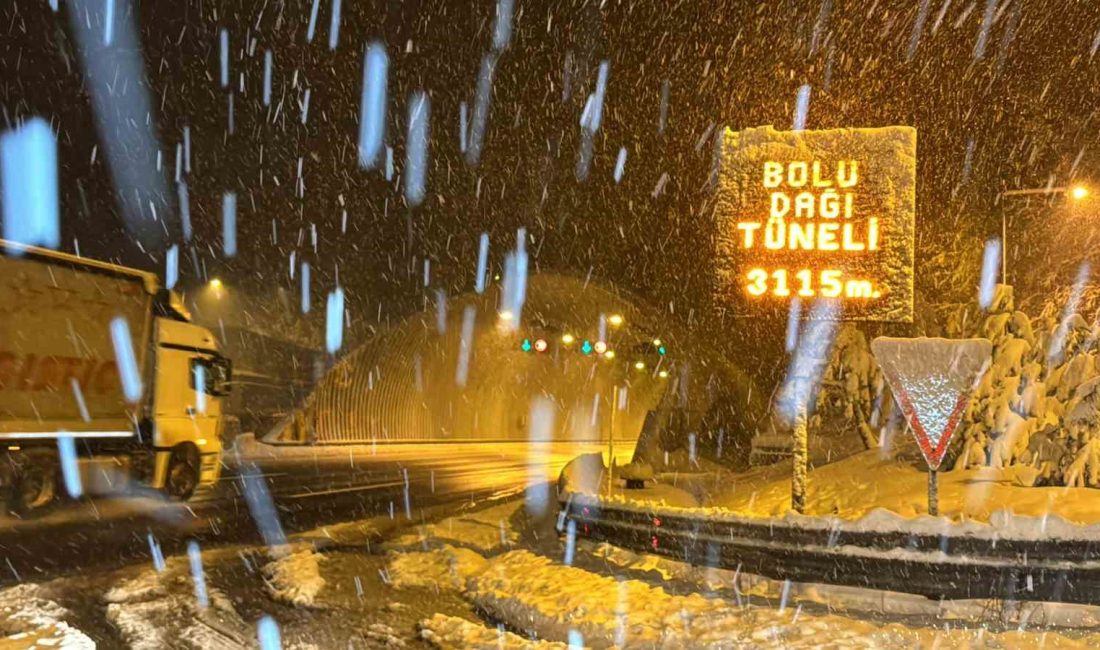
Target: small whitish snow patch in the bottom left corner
{"points": [[28, 620]]}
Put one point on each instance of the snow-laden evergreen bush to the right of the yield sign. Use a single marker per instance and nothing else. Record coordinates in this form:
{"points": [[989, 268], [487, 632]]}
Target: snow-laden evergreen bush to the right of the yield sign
{"points": [[1040, 403]]}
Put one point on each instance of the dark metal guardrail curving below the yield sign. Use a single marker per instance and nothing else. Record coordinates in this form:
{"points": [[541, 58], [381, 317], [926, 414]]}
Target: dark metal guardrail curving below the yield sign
{"points": [[938, 567]]}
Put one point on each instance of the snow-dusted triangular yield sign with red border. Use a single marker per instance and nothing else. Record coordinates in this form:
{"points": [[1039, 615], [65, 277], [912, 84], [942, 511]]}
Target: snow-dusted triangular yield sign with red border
{"points": [[932, 380]]}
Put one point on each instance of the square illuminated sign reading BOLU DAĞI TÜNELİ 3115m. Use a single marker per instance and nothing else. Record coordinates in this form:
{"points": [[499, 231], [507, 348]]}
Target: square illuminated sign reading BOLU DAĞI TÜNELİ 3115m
{"points": [[819, 215]]}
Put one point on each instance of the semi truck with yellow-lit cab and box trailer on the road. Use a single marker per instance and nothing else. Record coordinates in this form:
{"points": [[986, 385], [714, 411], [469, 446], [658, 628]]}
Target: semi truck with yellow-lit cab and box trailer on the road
{"points": [[145, 409]]}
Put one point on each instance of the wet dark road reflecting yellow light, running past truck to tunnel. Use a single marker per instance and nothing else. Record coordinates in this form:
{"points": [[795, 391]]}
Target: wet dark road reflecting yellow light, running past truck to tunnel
{"points": [[307, 487]]}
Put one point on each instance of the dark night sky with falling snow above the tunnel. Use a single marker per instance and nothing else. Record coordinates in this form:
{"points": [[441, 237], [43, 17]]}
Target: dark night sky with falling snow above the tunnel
{"points": [[1015, 108]]}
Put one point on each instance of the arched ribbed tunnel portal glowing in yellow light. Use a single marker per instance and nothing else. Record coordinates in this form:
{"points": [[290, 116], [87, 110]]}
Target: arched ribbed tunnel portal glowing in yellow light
{"points": [[424, 381]]}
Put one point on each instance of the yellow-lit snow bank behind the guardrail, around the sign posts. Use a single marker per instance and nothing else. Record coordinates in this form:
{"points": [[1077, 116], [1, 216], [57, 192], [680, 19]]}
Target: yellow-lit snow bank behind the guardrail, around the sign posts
{"points": [[868, 494]]}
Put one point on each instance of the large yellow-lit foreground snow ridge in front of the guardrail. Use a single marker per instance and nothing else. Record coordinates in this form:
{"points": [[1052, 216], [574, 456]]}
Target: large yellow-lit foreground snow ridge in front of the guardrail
{"points": [[535, 594]]}
